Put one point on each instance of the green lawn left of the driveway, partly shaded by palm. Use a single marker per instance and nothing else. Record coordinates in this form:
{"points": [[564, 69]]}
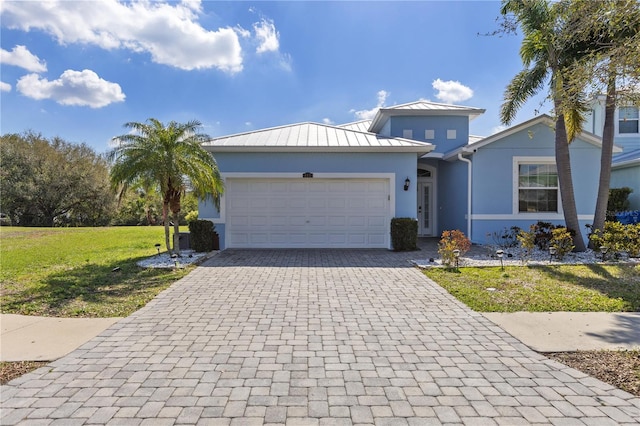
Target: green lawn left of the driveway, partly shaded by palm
{"points": [[69, 272]]}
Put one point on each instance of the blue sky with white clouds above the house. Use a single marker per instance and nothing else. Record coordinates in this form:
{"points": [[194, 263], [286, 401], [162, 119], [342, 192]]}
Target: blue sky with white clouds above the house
{"points": [[80, 70]]}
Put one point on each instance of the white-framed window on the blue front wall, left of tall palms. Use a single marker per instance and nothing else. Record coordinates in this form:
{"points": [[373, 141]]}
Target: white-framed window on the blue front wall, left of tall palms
{"points": [[537, 188]]}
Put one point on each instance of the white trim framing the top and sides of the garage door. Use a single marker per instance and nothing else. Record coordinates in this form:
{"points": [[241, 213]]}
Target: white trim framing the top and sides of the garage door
{"points": [[278, 175]]}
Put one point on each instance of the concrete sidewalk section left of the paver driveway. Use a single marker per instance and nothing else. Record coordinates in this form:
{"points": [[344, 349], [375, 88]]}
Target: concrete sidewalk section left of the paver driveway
{"points": [[27, 338]]}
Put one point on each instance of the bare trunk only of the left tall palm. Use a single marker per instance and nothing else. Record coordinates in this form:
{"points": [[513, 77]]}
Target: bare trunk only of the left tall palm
{"points": [[563, 163]]}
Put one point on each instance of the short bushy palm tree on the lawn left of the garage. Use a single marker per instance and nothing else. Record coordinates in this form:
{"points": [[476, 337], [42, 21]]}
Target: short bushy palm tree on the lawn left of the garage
{"points": [[170, 157]]}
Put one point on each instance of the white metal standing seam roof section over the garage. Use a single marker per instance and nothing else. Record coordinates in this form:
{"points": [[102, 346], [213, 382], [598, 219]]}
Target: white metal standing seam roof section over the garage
{"points": [[313, 137]]}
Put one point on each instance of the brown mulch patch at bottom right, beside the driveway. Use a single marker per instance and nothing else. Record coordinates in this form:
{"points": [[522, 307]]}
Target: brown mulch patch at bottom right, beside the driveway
{"points": [[618, 368]]}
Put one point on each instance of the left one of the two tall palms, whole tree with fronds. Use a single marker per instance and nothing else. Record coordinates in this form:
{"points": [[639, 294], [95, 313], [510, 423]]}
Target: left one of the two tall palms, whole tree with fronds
{"points": [[545, 58]]}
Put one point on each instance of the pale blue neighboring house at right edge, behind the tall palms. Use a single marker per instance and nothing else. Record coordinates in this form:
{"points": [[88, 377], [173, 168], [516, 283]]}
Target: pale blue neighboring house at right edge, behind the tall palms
{"points": [[626, 165]]}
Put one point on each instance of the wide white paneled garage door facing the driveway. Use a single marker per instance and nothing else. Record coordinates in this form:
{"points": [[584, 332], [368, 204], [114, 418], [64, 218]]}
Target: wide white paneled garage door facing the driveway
{"points": [[307, 213]]}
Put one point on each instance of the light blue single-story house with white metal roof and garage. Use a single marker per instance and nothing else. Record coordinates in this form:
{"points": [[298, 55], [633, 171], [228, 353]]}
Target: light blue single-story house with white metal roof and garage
{"points": [[315, 185]]}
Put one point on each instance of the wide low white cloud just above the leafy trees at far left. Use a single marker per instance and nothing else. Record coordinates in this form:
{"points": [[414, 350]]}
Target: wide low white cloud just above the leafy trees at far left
{"points": [[81, 88]]}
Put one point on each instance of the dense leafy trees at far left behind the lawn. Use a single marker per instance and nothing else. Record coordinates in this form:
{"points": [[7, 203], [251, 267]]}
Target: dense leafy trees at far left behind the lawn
{"points": [[53, 182]]}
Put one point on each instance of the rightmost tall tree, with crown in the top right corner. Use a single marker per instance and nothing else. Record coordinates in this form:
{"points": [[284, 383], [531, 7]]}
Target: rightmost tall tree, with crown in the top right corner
{"points": [[607, 33]]}
